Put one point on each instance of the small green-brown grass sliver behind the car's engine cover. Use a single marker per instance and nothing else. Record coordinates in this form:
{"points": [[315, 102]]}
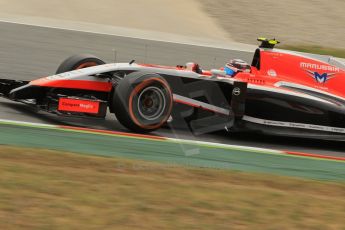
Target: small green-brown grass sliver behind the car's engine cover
{"points": [[316, 50]]}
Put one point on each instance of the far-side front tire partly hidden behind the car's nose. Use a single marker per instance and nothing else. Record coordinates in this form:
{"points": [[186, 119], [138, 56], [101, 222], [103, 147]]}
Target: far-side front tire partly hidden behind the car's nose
{"points": [[79, 61]]}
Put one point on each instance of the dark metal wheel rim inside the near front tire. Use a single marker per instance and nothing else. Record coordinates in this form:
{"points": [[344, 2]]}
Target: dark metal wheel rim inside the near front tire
{"points": [[152, 103]]}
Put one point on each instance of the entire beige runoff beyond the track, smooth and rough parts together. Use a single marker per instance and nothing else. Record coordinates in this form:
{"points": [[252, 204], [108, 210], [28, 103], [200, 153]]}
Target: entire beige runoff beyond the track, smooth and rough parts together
{"points": [[294, 22]]}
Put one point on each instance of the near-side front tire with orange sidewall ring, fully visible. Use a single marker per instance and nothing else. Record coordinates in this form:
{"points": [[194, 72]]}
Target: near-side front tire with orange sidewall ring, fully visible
{"points": [[142, 102]]}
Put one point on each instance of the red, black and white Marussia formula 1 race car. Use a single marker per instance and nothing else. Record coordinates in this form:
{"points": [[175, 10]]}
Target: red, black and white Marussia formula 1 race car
{"points": [[283, 93]]}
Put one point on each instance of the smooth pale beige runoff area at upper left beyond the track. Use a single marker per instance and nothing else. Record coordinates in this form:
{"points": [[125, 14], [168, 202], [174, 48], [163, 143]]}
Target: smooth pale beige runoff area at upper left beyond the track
{"points": [[168, 16]]}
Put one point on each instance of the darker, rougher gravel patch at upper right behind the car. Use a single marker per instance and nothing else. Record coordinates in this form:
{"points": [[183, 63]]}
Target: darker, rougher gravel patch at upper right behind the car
{"points": [[312, 22]]}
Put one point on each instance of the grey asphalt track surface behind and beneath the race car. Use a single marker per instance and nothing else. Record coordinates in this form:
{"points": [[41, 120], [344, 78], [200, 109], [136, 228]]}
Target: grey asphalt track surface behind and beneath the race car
{"points": [[29, 52]]}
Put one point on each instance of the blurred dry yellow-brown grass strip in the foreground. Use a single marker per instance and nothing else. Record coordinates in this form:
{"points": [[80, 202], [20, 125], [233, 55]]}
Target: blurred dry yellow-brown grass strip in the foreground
{"points": [[44, 189]]}
